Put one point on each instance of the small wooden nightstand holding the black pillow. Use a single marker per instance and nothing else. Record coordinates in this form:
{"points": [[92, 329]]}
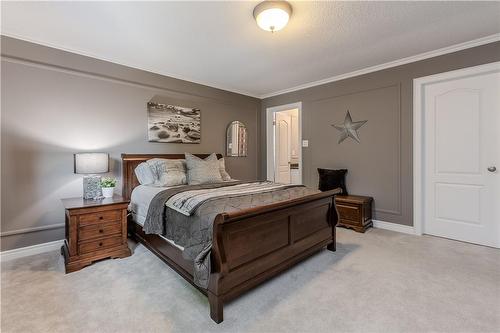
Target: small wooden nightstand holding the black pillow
{"points": [[355, 211]]}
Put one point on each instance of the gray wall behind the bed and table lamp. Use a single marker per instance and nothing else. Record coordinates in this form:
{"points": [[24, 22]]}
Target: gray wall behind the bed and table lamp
{"points": [[55, 103]]}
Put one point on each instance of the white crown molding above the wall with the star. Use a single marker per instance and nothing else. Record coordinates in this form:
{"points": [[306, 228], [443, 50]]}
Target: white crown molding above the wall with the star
{"points": [[395, 63]]}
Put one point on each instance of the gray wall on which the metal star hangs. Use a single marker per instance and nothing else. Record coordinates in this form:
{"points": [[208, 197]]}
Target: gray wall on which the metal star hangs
{"points": [[381, 165]]}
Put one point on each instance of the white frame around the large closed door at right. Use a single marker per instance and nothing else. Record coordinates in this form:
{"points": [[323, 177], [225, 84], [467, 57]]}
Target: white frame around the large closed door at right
{"points": [[419, 133]]}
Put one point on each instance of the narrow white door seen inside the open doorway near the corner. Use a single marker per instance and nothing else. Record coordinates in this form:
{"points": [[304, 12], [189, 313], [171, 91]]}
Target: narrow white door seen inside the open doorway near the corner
{"points": [[282, 147]]}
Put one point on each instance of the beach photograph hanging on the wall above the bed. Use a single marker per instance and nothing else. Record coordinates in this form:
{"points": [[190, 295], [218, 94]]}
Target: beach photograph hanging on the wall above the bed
{"points": [[173, 124]]}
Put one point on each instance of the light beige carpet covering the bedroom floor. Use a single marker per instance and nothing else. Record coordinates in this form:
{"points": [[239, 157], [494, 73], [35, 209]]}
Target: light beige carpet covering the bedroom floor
{"points": [[380, 281]]}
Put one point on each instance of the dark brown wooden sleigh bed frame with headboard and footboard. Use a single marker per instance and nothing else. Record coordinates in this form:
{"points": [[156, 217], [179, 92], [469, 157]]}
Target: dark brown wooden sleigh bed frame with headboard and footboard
{"points": [[249, 246]]}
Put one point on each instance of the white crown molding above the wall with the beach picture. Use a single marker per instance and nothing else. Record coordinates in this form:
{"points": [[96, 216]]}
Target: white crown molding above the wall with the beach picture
{"points": [[150, 70]]}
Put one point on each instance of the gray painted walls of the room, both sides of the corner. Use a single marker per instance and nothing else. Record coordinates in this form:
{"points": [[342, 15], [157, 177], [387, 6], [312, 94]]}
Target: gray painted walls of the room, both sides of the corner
{"points": [[55, 103]]}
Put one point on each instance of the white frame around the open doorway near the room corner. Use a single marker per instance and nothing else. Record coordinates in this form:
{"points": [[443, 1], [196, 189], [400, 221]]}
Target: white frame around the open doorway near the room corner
{"points": [[270, 137]]}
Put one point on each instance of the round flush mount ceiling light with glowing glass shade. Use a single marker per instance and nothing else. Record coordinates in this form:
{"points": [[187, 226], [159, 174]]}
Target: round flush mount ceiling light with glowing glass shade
{"points": [[272, 15]]}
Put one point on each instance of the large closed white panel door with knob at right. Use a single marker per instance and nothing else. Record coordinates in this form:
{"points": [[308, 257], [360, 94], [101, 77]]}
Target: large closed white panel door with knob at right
{"points": [[461, 156]]}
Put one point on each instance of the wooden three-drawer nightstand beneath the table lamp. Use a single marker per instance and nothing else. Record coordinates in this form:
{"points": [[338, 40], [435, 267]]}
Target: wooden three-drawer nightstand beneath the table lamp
{"points": [[95, 229]]}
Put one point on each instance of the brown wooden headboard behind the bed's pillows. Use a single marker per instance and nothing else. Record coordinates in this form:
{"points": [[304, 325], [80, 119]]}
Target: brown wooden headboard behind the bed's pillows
{"points": [[131, 161]]}
